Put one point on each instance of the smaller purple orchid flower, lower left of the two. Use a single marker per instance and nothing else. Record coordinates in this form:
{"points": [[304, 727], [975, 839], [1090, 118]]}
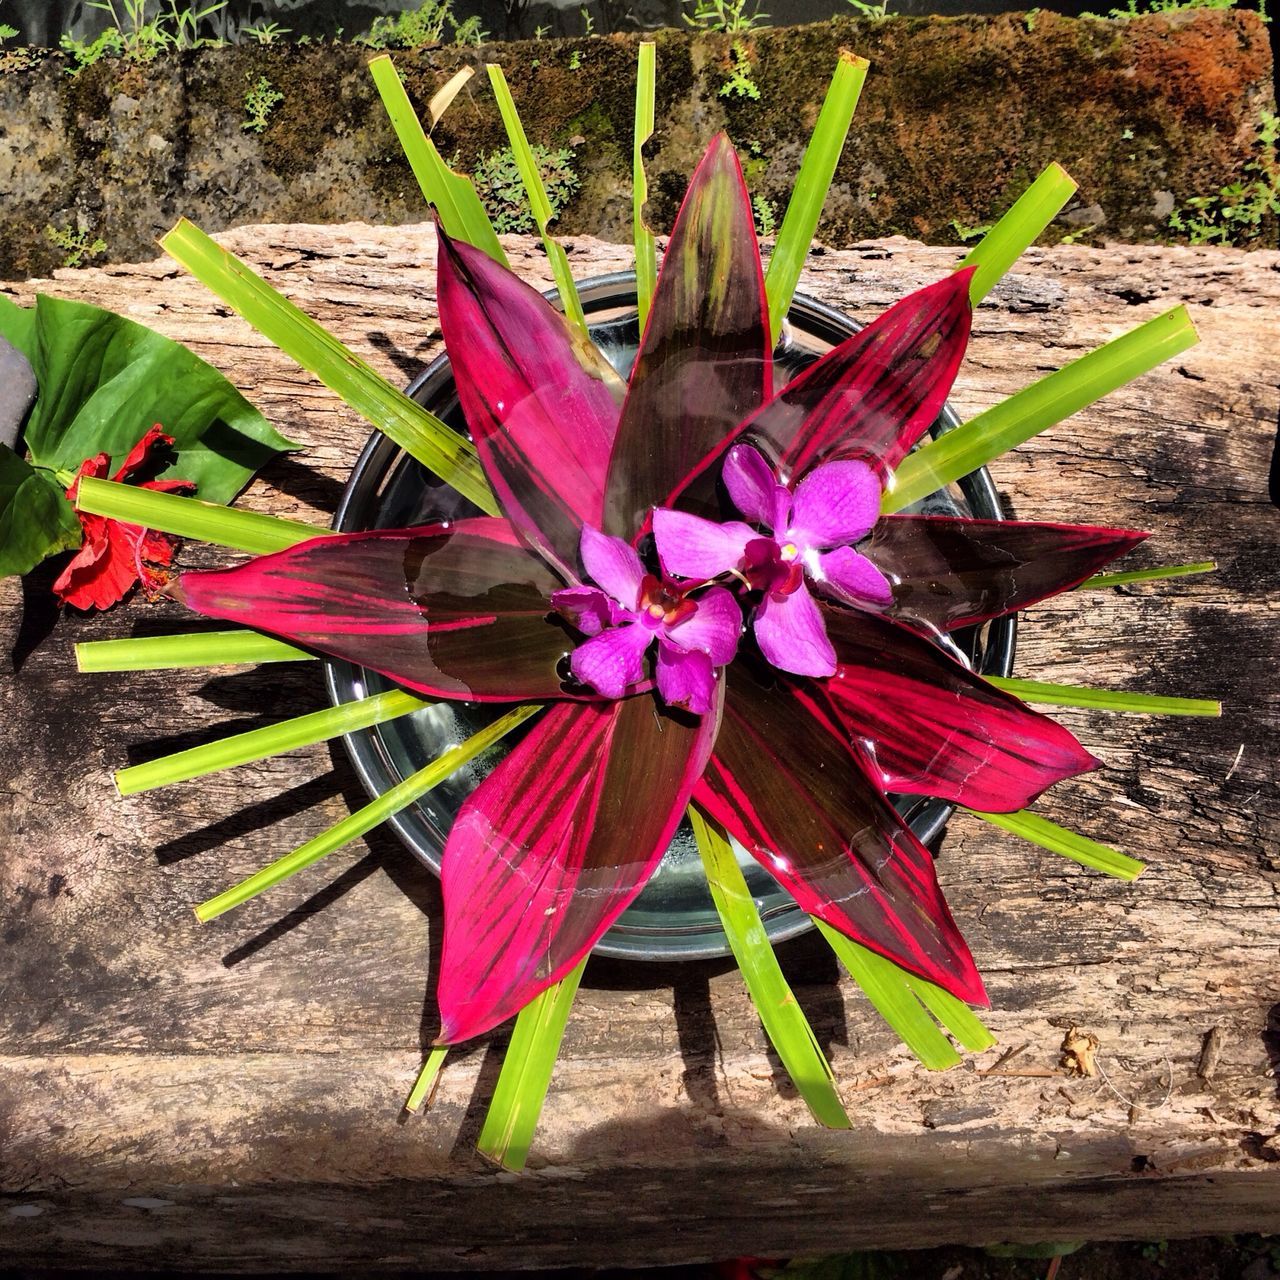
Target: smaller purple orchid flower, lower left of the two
{"points": [[637, 609]]}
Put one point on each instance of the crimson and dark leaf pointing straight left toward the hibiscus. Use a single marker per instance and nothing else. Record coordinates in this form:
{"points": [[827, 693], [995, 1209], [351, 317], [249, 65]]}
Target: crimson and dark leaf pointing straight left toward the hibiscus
{"points": [[452, 612]]}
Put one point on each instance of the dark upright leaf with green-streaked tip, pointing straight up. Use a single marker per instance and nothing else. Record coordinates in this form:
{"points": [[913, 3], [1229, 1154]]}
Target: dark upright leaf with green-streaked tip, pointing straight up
{"points": [[705, 363]]}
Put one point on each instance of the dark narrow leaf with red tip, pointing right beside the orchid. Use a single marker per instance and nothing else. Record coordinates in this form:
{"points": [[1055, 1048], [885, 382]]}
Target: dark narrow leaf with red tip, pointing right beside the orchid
{"points": [[949, 573]]}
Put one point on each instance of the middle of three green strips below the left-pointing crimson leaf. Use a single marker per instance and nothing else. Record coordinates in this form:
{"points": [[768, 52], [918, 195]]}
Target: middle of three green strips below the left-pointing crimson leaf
{"points": [[259, 744]]}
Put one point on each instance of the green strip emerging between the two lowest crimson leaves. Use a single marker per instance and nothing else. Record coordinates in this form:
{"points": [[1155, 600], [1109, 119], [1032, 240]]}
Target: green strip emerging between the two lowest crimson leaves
{"points": [[784, 1020]]}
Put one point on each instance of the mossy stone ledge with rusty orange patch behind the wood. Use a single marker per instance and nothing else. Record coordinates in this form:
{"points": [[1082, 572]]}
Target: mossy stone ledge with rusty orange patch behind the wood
{"points": [[959, 115]]}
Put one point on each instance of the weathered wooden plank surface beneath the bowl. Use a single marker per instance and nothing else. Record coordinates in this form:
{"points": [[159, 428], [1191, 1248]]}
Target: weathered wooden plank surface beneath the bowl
{"points": [[227, 1098]]}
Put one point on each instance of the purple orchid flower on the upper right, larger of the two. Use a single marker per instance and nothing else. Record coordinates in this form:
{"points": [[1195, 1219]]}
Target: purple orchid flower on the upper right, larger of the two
{"points": [[811, 536]]}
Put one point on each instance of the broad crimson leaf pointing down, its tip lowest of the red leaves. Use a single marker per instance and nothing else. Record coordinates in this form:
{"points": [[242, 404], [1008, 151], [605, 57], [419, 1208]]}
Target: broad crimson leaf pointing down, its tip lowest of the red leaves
{"points": [[554, 847]]}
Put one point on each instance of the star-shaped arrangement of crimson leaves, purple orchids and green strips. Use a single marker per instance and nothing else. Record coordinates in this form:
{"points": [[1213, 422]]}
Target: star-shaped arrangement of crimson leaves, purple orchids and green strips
{"points": [[706, 595]]}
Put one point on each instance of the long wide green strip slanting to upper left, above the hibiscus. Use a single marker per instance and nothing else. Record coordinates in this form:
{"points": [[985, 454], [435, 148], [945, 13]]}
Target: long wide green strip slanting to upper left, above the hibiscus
{"points": [[422, 435]]}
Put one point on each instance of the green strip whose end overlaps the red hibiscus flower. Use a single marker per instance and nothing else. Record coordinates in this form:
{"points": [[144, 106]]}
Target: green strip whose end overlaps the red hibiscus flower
{"points": [[190, 518]]}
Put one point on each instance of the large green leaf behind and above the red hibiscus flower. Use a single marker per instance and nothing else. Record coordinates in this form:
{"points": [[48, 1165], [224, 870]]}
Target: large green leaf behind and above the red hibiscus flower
{"points": [[104, 381]]}
